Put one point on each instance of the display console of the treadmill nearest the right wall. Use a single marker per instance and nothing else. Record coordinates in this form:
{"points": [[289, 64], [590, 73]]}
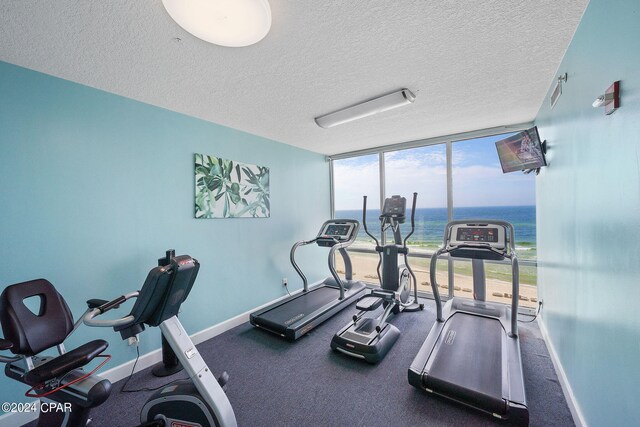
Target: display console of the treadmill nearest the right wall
{"points": [[477, 240]]}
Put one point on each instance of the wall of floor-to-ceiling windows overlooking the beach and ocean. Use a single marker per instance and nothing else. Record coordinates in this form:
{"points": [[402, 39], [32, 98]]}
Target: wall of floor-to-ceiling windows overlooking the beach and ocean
{"points": [[455, 179]]}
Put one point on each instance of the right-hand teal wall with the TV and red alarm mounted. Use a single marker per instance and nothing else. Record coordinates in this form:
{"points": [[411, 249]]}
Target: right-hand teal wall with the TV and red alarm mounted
{"points": [[588, 209]]}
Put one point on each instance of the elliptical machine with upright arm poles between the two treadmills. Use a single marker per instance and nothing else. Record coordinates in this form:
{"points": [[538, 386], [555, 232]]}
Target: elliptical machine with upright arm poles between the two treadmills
{"points": [[370, 337]]}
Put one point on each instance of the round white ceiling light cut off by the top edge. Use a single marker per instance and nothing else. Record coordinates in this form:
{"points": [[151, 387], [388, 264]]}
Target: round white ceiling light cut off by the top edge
{"points": [[232, 23]]}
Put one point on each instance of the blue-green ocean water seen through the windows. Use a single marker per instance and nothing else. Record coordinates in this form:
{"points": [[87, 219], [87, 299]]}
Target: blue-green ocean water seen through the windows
{"points": [[430, 223]]}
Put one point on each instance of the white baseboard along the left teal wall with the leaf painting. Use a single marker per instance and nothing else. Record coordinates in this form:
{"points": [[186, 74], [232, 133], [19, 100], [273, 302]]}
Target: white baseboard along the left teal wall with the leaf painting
{"points": [[145, 361]]}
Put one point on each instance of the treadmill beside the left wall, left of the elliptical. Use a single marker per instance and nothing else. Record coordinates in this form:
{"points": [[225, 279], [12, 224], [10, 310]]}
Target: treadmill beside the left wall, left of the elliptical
{"points": [[296, 315]]}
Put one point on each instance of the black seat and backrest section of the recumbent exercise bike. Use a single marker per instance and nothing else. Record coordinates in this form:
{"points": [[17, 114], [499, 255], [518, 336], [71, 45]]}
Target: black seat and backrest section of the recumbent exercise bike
{"points": [[35, 318]]}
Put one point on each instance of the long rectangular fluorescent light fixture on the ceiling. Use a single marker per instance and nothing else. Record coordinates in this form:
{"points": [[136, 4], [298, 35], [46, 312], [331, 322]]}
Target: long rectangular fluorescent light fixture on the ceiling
{"points": [[367, 108]]}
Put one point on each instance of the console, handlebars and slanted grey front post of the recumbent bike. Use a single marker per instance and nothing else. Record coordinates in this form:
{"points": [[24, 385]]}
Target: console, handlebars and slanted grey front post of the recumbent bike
{"points": [[197, 401]]}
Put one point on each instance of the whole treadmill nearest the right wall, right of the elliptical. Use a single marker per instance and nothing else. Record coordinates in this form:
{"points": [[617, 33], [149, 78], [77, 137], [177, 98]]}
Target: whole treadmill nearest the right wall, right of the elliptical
{"points": [[472, 353]]}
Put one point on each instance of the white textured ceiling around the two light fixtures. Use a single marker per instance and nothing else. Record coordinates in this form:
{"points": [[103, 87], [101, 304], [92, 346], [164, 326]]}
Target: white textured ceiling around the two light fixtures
{"points": [[472, 64]]}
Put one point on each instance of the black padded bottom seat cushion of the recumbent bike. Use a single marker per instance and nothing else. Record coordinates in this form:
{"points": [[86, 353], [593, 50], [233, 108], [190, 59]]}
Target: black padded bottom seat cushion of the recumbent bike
{"points": [[67, 362]]}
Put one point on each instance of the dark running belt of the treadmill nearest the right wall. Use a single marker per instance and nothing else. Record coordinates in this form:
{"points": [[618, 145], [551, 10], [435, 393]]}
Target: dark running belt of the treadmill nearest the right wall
{"points": [[468, 362]]}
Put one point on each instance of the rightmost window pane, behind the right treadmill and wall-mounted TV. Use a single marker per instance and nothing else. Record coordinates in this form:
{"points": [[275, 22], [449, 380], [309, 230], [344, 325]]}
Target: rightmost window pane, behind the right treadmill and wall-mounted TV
{"points": [[480, 190]]}
